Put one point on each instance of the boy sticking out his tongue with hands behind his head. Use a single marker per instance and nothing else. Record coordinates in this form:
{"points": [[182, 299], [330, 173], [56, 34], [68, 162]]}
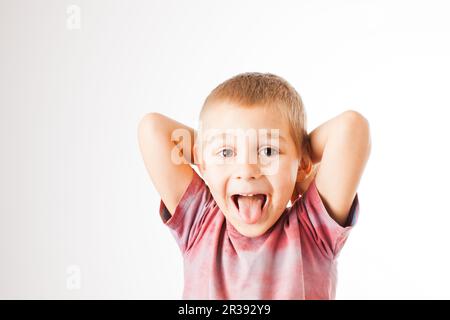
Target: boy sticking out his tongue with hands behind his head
{"points": [[239, 237]]}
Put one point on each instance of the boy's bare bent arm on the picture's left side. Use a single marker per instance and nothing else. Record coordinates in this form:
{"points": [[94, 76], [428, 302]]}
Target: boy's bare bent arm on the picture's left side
{"points": [[168, 163]]}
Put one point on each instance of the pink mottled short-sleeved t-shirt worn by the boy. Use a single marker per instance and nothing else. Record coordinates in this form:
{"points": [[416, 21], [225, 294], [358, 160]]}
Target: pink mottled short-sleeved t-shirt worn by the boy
{"points": [[293, 259]]}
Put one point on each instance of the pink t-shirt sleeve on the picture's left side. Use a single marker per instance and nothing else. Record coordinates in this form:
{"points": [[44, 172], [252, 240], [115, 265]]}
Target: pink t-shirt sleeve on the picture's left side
{"points": [[188, 218]]}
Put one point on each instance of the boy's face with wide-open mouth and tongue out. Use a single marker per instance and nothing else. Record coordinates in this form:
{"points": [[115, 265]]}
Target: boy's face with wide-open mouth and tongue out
{"points": [[244, 158]]}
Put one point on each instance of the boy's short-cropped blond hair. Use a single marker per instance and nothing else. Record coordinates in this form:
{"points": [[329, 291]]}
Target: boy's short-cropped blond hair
{"points": [[267, 90]]}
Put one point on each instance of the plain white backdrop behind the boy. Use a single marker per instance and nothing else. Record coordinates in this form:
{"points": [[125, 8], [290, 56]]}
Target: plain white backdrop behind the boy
{"points": [[78, 213]]}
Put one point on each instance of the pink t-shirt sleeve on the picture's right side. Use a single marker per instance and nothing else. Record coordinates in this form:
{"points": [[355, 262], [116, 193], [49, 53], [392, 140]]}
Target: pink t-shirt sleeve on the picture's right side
{"points": [[329, 235]]}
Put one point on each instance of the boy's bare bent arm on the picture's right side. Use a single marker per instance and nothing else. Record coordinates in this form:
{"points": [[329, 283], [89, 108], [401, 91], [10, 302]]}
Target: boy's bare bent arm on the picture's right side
{"points": [[342, 146]]}
